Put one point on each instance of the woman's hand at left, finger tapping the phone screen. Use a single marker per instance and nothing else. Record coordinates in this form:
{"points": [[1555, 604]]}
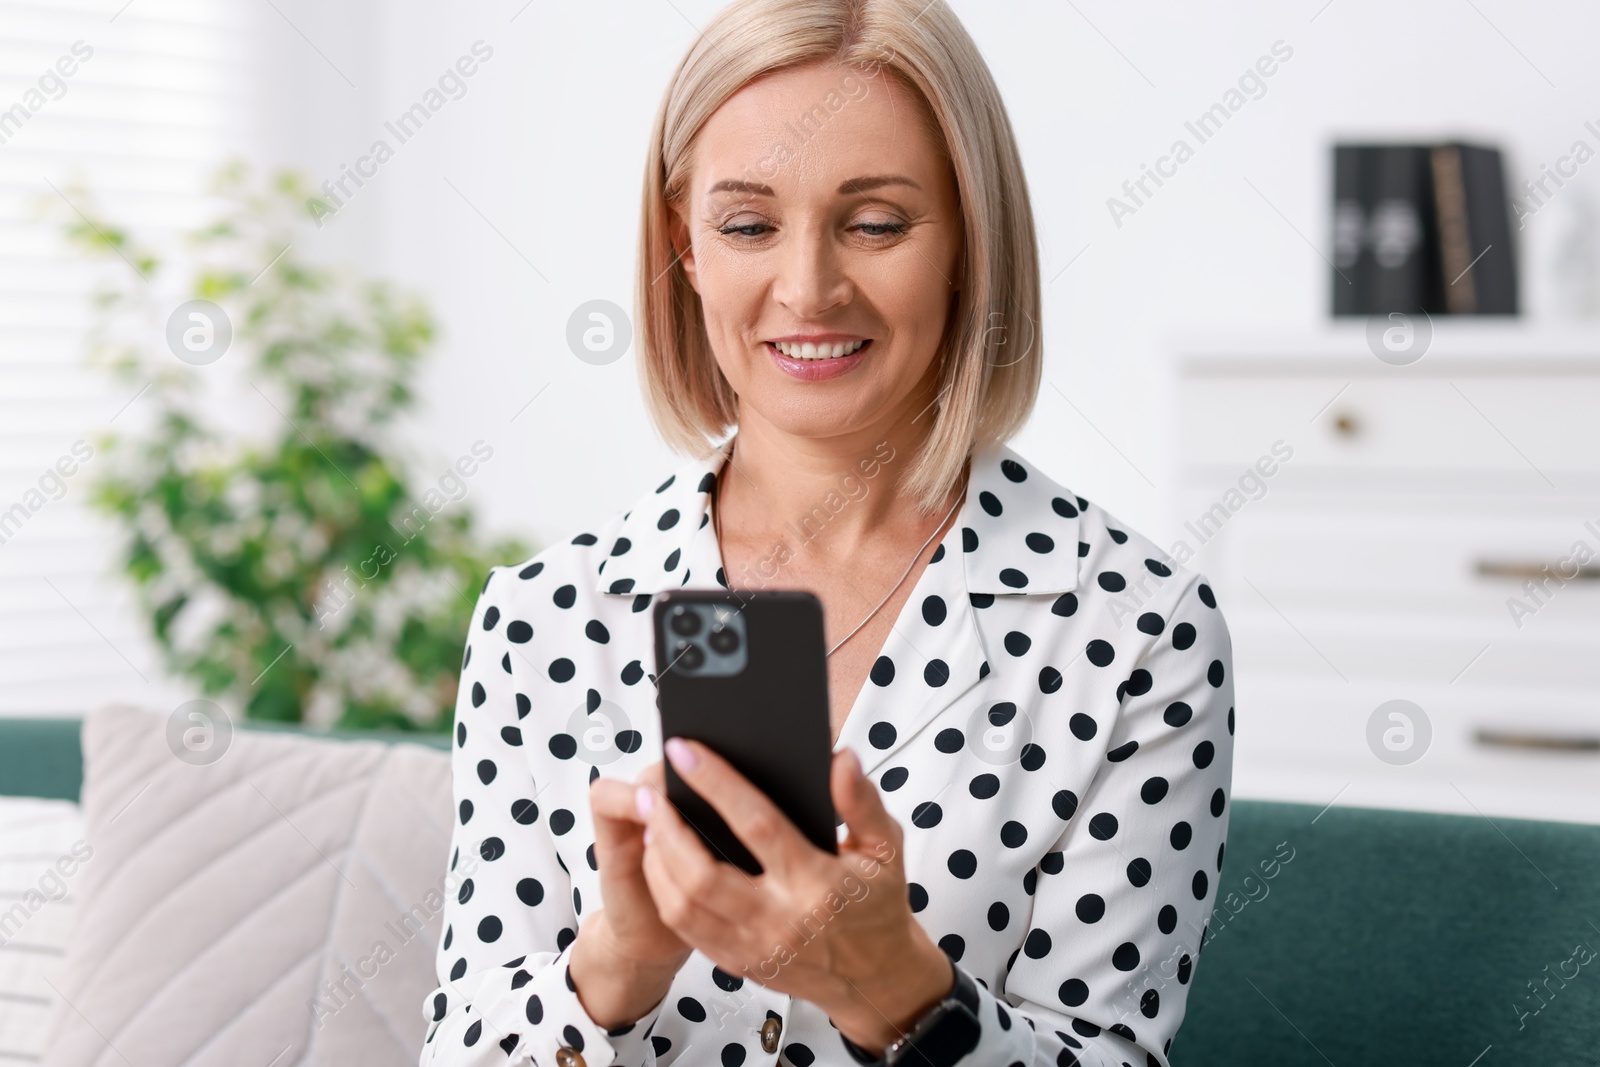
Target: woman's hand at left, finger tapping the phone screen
{"points": [[625, 957]]}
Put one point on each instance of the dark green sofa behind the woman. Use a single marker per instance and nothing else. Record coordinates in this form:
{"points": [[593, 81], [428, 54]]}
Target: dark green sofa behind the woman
{"points": [[1346, 937]]}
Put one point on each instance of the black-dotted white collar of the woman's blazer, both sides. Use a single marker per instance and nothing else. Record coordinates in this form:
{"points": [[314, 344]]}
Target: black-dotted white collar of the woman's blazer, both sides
{"points": [[1018, 532]]}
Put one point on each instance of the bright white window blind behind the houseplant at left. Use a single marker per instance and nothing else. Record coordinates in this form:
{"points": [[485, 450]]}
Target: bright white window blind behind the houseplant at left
{"points": [[158, 95]]}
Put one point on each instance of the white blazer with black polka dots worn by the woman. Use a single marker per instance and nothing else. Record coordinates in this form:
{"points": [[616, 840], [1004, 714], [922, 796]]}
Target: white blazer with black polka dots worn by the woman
{"points": [[1050, 721]]}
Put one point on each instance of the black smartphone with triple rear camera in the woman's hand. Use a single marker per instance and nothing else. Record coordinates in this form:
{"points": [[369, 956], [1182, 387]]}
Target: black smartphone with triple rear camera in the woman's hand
{"points": [[748, 677]]}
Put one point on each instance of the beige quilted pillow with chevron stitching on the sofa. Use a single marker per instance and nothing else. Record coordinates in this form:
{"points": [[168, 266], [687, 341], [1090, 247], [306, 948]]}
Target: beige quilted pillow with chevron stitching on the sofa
{"points": [[279, 906]]}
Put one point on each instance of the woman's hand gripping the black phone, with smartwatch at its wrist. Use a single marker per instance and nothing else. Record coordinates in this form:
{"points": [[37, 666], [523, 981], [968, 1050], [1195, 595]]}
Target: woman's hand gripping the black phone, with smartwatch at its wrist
{"points": [[833, 930]]}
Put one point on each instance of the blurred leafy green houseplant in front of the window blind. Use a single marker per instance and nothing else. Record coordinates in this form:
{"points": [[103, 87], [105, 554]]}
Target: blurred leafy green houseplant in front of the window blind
{"points": [[303, 572]]}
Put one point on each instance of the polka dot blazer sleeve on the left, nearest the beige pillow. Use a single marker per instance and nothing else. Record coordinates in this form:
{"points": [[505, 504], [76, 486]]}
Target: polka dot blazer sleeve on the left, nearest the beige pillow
{"points": [[505, 994]]}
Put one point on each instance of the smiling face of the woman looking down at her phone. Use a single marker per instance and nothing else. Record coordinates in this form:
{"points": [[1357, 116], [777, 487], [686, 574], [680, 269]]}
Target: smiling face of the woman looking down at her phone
{"points": [[823, 210]]}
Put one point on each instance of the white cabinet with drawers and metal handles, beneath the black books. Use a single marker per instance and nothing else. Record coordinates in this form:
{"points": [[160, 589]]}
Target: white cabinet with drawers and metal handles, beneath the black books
{"points": [[1434, 537]]}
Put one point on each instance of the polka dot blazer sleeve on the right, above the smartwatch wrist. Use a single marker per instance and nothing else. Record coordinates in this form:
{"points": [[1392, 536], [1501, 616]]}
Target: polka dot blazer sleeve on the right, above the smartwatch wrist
{"points": [[1122, 903]]}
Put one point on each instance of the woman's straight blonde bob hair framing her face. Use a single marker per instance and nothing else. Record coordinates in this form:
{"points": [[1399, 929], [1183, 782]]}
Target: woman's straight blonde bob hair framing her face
{"points": [[991, 356]]}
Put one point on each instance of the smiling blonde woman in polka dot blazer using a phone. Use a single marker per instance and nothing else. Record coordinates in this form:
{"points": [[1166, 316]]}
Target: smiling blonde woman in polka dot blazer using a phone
{"points": [[1031, 708]]}
